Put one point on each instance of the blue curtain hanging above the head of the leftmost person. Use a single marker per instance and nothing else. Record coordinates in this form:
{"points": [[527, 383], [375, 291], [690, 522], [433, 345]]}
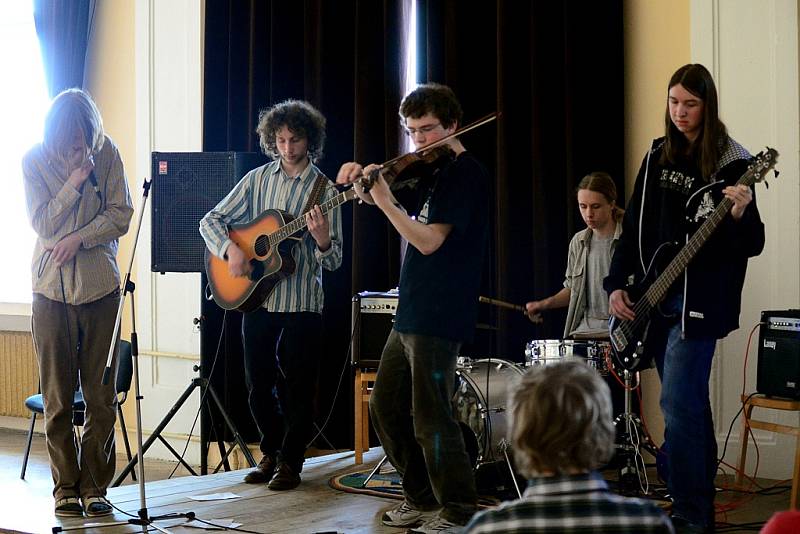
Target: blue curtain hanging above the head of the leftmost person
{"points": [[63, 30]]}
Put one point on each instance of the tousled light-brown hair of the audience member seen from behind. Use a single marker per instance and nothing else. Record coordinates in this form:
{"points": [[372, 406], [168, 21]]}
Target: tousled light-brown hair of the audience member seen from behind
{"points": [[560, 419]]}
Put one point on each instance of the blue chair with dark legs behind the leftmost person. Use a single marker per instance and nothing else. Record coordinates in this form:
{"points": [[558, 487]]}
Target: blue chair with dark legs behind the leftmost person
{"points": [[35, 403]]}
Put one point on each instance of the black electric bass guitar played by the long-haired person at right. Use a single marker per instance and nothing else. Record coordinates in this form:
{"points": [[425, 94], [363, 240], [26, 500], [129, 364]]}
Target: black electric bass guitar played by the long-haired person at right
{"points": [[628, 337]]}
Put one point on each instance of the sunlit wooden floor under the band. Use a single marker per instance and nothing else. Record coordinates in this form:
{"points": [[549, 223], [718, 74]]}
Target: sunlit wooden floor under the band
{"points": [[27, 506]]}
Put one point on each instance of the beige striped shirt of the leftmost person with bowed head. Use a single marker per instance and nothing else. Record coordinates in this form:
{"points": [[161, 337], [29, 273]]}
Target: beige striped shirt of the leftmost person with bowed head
{"points": [[56, 209]]}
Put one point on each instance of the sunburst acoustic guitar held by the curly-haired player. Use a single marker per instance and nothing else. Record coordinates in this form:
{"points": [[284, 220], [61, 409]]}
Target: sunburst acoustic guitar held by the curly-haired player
{"points": [[267, 243]]}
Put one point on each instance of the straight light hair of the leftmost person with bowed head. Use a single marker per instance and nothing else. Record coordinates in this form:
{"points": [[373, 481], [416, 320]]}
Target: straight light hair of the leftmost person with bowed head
{"points": [[72, 110]]}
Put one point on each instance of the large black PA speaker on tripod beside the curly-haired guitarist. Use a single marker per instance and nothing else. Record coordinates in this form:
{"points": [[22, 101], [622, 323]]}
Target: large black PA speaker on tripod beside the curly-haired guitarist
{"points": [[186, 185]]}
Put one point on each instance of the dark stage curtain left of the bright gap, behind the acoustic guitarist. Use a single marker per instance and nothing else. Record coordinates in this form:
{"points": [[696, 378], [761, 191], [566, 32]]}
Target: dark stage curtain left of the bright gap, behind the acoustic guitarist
{"points": [[345, 58]]}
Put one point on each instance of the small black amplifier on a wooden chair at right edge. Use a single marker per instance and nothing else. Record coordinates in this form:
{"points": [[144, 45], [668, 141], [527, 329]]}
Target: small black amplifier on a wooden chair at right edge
{"points": [[779, 354]]}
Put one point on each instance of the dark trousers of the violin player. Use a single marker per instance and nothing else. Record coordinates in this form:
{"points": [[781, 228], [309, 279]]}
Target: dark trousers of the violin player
{"points": [[410, 408]]}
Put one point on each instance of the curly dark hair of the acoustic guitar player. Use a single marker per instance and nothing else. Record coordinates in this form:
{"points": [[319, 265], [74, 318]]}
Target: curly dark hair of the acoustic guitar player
{"points": [[301, 118]]}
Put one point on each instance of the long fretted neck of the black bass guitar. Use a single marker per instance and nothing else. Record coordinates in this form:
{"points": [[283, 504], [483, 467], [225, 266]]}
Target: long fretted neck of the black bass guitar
{"points": [[658, 290]]}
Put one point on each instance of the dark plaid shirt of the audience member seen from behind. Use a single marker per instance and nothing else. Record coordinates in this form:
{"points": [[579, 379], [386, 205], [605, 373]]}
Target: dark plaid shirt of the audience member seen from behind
{"points": [[572, 504]]}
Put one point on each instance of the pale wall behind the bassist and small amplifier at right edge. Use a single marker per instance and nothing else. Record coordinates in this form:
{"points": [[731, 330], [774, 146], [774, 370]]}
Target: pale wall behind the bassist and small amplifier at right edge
{"points": [[751, 49]]}
